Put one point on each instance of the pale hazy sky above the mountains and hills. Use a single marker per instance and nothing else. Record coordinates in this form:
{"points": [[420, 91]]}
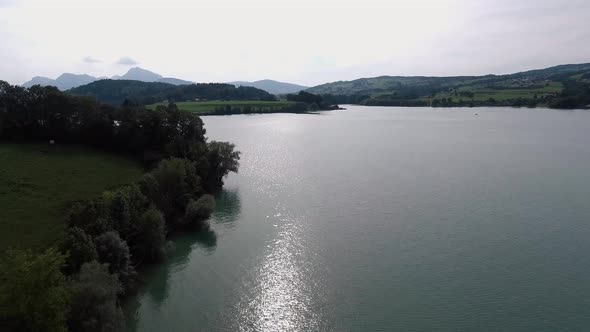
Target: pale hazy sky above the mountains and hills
{"points": [[300, 41]]}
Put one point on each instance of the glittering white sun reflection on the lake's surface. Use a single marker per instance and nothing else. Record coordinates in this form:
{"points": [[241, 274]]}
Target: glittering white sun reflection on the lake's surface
{"points": [[283, 286]]}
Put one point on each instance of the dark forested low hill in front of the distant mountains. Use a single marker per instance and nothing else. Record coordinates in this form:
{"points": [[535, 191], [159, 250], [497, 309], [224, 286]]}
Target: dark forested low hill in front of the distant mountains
{"points": [[115, 92]]}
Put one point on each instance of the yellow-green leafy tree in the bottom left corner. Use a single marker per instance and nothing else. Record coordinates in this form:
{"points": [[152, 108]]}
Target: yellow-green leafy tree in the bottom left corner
{"points": [[33, 290]]}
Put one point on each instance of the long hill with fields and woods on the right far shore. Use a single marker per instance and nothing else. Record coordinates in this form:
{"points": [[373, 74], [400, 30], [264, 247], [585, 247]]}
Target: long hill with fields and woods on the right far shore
{"points": [[564, 86]]}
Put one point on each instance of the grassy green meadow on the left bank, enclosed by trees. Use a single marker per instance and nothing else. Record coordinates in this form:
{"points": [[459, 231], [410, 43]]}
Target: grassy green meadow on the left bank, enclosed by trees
{"points": [[39, 182]]}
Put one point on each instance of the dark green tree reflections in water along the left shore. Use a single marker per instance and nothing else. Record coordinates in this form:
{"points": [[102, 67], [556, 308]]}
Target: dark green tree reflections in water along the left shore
{"points": [[157, 276]]}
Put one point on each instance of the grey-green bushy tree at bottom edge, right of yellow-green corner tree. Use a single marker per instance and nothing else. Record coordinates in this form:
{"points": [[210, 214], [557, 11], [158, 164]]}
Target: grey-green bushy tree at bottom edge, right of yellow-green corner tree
{"points": [[94, 300]]}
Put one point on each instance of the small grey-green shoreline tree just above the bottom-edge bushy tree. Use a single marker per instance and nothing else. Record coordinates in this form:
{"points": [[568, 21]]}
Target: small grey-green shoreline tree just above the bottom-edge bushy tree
{"points": [[115, 252]]}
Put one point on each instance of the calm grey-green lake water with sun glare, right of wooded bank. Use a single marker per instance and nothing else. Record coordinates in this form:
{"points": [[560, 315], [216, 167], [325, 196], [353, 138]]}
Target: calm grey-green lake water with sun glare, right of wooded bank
{"points": [[383, 219]]}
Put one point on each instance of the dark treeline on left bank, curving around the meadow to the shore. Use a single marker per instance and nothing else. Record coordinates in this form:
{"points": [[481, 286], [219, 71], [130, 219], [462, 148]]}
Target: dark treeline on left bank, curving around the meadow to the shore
{"points": [[77, 286]]}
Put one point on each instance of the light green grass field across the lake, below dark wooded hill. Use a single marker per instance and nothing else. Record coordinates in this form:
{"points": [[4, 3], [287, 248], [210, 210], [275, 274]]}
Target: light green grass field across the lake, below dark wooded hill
{"points": [[210, 106]]}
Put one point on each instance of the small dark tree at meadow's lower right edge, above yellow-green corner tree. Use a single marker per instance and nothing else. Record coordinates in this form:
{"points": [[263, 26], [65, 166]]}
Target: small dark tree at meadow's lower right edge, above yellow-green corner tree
{"points": [[80, 249]]}
